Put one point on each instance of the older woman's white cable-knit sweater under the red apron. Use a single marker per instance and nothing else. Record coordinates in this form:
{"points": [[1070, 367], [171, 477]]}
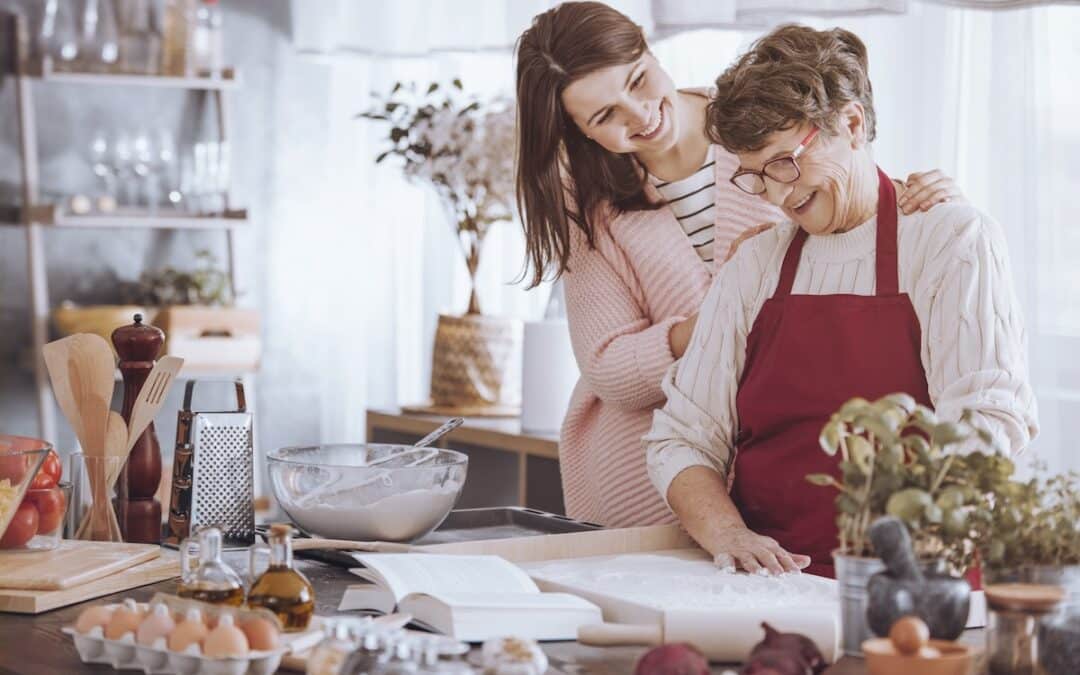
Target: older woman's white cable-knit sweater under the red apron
{"points": [[954, 266]]}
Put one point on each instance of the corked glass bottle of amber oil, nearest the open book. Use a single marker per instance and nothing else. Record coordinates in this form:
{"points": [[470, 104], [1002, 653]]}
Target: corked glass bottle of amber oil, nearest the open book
{"points": [[281, 589]]}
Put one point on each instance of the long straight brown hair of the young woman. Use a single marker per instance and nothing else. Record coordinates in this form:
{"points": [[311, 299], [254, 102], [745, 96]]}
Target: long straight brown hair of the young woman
{"points": [[555, 159]]}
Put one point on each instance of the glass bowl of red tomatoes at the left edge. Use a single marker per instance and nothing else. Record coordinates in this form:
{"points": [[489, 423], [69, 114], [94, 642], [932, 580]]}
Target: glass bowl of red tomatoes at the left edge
{"points": [[33, 501]]}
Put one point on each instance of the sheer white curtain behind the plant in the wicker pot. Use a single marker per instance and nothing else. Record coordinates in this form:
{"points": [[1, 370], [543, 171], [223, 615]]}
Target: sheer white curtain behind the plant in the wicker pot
{"points": [[361, 263]]}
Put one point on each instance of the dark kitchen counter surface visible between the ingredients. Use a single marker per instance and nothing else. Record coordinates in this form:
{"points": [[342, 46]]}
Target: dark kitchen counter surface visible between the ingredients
{"points": [[32, 645]]}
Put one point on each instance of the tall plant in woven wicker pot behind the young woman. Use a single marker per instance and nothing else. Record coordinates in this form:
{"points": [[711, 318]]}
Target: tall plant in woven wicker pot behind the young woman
{"points": [[463, 148]]}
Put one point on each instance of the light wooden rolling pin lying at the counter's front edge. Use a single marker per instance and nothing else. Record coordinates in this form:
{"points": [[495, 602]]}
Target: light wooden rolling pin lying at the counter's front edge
{"points": [[725, 636]]}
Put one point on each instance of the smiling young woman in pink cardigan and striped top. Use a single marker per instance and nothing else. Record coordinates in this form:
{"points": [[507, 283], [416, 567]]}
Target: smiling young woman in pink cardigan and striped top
{"points": [[625, 197]]}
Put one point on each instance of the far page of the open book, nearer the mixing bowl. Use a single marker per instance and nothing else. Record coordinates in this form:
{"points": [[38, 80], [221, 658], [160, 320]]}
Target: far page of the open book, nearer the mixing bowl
{"points": [[406, 573]]}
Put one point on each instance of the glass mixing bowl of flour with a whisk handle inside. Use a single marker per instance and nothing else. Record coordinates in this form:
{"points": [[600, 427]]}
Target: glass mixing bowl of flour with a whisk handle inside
{"points": [[334, 492]]}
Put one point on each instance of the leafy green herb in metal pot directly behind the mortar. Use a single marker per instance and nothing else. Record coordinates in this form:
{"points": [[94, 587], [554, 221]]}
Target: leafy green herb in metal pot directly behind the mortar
{"points": [[896, 461]]}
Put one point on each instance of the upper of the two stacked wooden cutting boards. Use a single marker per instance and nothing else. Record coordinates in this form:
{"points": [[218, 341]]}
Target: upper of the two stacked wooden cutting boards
{"points": [[72, 564]]}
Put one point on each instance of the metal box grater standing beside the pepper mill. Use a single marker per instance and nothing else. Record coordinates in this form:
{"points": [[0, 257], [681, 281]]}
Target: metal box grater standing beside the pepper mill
{"points": [[213, 474]]}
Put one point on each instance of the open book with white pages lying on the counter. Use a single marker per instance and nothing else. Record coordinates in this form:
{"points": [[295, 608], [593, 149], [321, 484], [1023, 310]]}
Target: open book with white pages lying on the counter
{"points": [[469, 598]]}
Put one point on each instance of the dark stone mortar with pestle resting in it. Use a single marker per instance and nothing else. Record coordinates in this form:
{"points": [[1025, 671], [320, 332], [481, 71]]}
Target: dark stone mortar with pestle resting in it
{"points": [[906, 589]]}
